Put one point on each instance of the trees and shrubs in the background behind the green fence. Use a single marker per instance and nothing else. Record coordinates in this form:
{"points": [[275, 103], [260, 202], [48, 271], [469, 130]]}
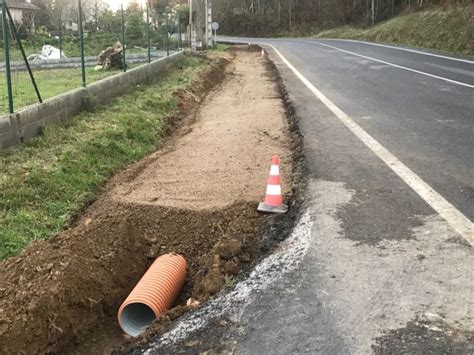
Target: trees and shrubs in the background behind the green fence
{"points": [[57, 19]]}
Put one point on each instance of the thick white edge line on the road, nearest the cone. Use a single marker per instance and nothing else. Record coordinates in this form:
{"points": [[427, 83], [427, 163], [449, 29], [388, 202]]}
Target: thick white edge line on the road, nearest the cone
{"points": [[460, 223]]}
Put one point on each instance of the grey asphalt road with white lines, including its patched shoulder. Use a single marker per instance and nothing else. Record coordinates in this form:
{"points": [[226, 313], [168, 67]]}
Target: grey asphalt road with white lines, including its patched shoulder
{"points": [[381, 261]]}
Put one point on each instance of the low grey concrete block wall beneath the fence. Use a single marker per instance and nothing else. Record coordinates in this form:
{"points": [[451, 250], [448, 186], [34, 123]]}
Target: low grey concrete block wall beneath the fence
{"points": [[31, 121]]}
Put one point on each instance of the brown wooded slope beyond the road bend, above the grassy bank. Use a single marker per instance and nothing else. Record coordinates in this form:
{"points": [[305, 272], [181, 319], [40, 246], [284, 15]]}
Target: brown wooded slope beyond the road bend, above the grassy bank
{"points": [[268, 18]]}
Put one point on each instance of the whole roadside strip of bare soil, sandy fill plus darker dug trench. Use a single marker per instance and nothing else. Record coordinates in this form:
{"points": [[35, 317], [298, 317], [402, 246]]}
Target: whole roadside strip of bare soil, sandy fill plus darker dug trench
{"points": [[197, 196]]}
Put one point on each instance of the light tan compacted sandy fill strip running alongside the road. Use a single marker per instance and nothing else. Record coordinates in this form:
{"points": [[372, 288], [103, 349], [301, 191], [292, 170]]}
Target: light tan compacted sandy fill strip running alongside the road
{"points": [[225, 155]]}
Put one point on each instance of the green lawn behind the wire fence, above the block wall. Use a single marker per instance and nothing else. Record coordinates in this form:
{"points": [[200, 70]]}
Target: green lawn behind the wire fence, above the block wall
{"points": [[50, 83]]}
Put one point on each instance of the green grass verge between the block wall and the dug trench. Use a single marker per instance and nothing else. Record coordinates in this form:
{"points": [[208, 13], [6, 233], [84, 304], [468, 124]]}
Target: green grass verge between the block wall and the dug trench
{"points": [[45, 182]]}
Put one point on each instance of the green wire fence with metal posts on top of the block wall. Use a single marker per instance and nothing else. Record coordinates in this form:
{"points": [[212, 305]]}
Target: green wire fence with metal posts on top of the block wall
{"points": [[31, 69]]}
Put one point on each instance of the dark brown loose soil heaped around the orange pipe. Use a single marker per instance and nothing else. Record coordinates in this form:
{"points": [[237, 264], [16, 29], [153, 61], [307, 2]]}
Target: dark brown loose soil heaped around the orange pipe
{"points": [[66, 286]]}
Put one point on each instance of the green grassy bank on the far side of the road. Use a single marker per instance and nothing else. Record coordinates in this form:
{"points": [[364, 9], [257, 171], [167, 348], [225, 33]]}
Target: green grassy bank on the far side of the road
{"points": [[450, 30]]}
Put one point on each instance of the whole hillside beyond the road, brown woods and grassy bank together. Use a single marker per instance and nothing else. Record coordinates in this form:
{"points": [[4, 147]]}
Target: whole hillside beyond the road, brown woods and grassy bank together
{"points": [[439, 24]]}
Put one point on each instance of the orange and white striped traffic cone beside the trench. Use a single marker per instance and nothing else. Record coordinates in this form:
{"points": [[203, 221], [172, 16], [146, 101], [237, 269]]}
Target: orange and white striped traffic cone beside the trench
{"points": [[273, 198]]}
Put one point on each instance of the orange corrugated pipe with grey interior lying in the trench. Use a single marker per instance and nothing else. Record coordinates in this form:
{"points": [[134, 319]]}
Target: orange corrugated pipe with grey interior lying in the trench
{"points": [[153, 294]]}
